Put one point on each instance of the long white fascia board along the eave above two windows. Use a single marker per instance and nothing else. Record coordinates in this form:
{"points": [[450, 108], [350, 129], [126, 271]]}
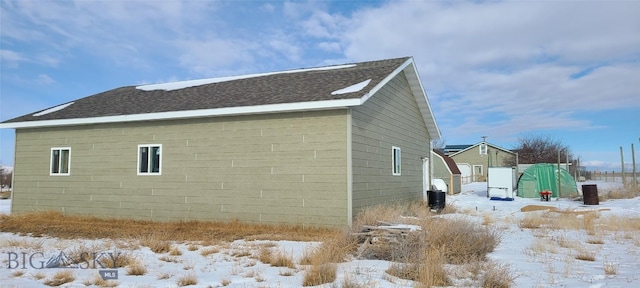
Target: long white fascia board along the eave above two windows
{"points": [[231, 111]]}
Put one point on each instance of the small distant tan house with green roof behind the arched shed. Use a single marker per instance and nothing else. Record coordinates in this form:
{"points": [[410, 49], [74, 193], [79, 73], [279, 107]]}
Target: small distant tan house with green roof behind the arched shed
{"points": [[473, 160]]}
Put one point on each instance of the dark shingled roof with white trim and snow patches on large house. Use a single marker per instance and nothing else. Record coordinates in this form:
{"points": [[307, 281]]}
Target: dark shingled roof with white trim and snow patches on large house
{"points": [[326, 87]]}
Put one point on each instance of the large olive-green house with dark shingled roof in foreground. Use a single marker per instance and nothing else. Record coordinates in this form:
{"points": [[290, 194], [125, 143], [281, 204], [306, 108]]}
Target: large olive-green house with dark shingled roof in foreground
{"points": [[309, 146]]}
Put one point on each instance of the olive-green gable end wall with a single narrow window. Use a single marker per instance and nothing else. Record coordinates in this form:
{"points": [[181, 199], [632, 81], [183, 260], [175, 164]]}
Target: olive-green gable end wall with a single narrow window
{"points": [[389, 118]]}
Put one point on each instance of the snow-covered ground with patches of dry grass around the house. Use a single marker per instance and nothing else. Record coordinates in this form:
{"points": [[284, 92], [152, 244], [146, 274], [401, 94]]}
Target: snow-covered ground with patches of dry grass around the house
{"points": [[235, 264]]}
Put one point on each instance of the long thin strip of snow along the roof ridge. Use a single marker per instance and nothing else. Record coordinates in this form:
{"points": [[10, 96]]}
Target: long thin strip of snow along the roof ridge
{"points": [[192, 83]]}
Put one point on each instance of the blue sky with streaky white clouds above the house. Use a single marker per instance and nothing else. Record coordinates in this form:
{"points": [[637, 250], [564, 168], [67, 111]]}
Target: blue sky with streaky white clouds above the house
{"points": [[569, 70]]}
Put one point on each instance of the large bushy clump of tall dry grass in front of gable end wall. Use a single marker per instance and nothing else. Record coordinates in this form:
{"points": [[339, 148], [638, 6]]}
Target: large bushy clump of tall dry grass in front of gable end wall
{"points": [[421, 255]]}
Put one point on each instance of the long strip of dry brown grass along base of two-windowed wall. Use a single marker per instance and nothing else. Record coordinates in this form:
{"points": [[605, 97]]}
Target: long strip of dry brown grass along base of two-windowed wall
{"points": [[55, 224]]}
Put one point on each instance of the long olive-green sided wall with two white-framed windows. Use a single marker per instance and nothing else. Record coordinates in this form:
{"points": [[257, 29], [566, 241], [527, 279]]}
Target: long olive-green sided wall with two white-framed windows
{"points": [[272, 168]]}
